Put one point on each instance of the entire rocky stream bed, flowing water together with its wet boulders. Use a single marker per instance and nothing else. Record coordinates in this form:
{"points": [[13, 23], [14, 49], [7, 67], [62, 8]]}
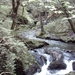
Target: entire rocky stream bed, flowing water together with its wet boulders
{"points": [[53, 58]]}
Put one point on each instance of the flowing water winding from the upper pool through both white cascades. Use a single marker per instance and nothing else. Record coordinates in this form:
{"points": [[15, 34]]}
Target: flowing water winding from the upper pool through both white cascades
{"points": [[57, 45]]}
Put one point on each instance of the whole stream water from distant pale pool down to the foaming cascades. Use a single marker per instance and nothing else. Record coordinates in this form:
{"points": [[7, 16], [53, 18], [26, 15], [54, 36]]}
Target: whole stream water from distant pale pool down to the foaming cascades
{"points": [[68, 59]]}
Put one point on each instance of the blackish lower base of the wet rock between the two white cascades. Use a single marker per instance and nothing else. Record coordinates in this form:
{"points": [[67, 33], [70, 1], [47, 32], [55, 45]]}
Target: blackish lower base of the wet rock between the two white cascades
{"points": [[57, 65]]}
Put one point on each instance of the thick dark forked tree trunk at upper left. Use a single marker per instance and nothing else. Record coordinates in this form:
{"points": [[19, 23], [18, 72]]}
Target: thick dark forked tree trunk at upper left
{"points": [[15, 6]]}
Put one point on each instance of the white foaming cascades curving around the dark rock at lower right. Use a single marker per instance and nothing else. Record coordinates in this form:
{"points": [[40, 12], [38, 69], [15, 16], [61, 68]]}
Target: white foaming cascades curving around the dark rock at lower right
{"points": [[45, 71]]}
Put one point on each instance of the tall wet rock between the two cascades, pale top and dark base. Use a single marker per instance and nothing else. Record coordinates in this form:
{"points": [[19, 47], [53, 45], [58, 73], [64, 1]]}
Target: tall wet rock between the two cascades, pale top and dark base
{"points": [[57, 59]]}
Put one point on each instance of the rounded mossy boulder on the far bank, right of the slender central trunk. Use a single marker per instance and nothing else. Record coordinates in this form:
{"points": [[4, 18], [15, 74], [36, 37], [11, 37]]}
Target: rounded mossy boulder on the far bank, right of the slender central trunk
{"points": [[58, 26]]}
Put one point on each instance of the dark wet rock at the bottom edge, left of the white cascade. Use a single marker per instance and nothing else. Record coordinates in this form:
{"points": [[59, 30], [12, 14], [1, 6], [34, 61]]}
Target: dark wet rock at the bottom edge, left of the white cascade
{"points": [[32, 69]]}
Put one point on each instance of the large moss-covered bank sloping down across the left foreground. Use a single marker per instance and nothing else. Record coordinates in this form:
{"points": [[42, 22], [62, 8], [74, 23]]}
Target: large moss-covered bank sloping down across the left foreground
{"points": [[13, 49]]}
